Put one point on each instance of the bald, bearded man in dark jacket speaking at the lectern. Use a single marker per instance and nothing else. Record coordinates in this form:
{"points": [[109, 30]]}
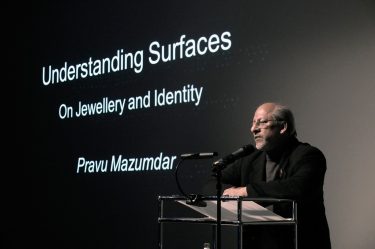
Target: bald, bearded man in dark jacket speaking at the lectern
{"points": [[281, 167]]}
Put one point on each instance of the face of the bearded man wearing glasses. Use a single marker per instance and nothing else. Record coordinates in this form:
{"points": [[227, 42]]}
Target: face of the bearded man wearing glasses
{"points": [[265, 131]]}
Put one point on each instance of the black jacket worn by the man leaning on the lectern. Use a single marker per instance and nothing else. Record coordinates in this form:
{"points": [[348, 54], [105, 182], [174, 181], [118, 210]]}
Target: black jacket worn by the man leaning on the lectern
{"points": [[301, 178]]}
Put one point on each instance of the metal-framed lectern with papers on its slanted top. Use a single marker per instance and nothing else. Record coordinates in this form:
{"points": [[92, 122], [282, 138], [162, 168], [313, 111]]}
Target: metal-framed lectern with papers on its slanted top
{"points": [[236, 212]]}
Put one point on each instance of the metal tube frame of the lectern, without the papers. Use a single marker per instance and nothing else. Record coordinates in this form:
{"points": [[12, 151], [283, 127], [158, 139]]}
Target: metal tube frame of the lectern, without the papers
{"points": [[239, 223]]}
